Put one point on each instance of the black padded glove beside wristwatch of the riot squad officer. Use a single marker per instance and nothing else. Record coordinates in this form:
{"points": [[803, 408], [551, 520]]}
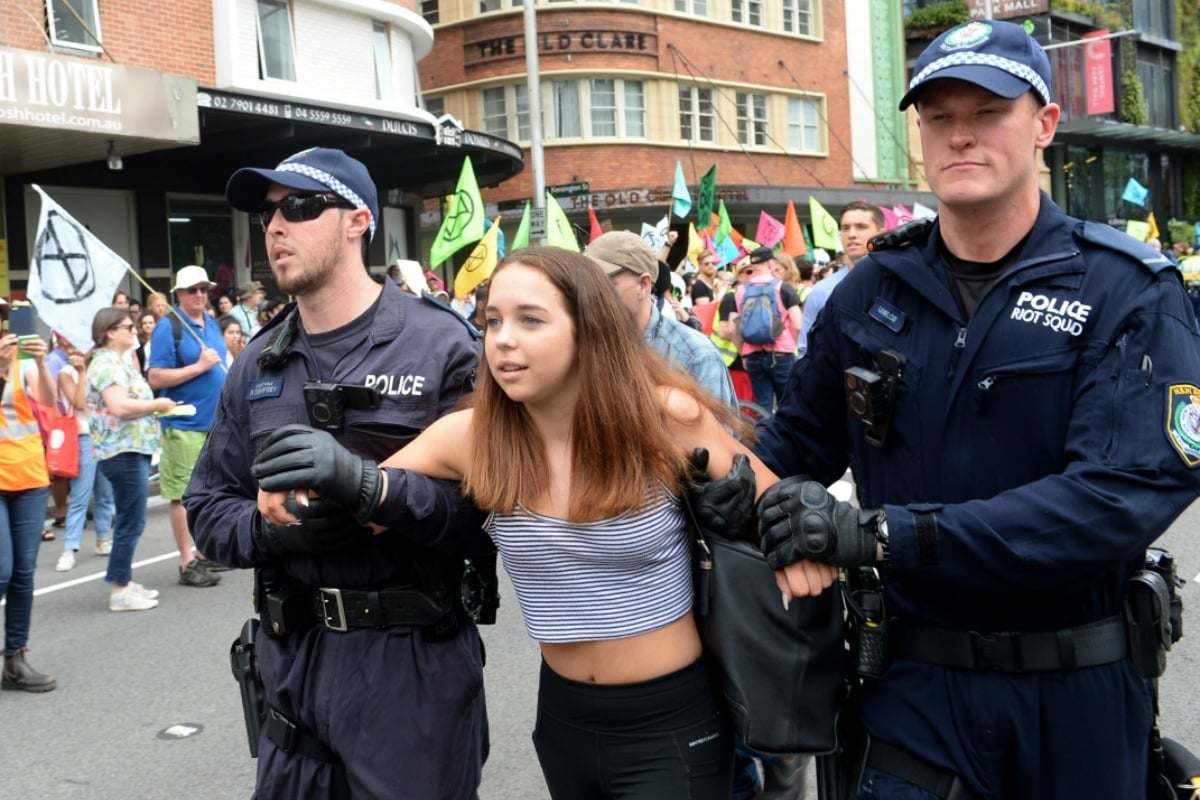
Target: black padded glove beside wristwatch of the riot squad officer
{"points": [[800, 520]]}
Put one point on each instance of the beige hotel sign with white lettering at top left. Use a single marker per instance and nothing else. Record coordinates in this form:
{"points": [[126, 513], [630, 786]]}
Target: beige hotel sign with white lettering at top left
{"points": [[89, 97]]}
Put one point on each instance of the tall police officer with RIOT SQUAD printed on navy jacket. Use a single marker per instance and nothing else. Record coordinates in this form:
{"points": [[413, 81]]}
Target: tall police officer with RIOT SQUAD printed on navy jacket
{"points": [[1017, 392]]}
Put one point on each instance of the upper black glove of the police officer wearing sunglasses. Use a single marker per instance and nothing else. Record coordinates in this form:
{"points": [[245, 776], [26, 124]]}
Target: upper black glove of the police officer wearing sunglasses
{"points": [[299, 458]]}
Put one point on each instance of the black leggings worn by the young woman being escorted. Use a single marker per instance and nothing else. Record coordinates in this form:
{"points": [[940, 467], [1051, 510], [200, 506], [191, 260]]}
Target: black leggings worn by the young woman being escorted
{"points": [[663, 738]]}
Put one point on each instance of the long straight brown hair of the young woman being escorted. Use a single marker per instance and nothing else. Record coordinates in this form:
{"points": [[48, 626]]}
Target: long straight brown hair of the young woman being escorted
{"points": [[621, 443]]}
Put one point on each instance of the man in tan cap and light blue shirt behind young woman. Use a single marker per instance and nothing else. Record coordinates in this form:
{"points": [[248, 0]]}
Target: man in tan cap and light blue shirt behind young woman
{"points": [[632, 266]]}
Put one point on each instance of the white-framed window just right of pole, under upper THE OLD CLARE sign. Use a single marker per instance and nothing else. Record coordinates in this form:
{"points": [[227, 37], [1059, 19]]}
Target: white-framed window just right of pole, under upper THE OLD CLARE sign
{"points": [[598, 109]]}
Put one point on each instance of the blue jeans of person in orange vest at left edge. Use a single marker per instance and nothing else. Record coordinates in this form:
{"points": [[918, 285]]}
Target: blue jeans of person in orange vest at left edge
{"points": [[22, 520]]}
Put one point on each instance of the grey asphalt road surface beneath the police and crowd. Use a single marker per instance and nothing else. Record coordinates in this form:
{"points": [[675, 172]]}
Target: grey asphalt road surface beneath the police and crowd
{"points": [[147, 708]]}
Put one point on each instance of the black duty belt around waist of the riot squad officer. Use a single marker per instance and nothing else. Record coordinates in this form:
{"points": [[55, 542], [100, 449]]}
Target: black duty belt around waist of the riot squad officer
{"points": [[1073, 648]]}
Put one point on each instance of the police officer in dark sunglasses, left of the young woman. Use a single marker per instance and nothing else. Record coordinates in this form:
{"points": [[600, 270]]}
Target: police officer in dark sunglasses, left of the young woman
{"points": [[371, 667]]}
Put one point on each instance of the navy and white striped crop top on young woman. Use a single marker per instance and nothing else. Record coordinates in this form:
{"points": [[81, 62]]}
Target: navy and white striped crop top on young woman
{"points": [[605, 580]]}
